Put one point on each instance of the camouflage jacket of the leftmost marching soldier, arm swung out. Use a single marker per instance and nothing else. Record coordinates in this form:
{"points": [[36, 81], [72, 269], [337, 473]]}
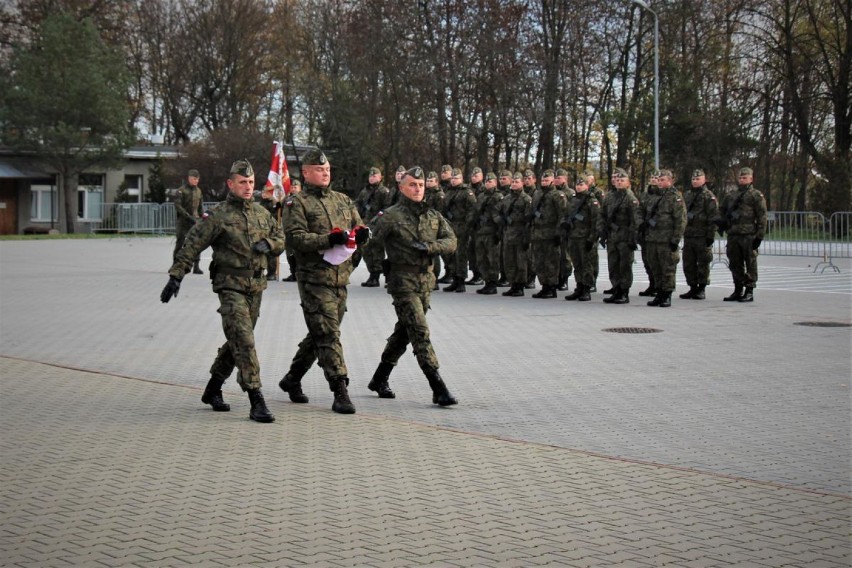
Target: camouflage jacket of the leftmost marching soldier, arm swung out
{"points": [[231, 230]]}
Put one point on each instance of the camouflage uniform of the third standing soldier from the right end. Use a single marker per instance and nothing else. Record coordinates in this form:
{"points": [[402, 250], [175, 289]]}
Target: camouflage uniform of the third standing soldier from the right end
{"points": [[665, 222]]}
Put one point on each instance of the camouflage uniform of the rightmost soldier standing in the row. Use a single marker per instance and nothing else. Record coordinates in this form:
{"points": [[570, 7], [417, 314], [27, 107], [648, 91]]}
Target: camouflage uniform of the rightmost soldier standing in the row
{"points": [[745, 222]]}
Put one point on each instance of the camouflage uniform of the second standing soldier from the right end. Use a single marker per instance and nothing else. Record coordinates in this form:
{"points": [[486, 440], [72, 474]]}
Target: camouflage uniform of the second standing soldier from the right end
{"points": [[701, 211]]}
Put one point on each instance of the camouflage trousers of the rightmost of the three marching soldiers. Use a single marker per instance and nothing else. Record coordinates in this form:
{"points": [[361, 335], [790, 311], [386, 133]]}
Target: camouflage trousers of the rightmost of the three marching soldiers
{"points": [[411, 294]]}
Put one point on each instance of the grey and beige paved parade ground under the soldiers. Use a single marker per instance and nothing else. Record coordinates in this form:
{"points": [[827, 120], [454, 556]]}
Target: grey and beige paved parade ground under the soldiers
{"points": [[724, 440]]}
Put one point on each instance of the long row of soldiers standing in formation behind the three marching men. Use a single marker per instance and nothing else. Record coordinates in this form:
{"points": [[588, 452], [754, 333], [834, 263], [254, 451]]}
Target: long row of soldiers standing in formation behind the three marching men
{"points": [[512, 228]]}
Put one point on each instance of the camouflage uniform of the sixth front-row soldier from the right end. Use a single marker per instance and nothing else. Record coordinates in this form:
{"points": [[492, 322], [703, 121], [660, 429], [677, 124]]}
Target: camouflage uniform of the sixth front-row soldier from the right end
{"points": [[548, 208]]}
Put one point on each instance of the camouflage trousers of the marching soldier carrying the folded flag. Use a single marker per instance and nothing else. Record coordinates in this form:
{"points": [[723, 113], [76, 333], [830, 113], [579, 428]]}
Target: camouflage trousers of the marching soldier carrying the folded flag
{"points": [[323, 308]]}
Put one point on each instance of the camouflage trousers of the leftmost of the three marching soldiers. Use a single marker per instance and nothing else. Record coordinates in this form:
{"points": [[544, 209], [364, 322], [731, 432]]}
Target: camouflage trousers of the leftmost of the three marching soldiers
{"points": [[239, 312]]}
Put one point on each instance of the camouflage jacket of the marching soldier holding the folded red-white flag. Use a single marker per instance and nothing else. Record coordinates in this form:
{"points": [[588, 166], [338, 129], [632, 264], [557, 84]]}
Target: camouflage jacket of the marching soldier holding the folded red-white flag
{"points": [[311, 216]]}
